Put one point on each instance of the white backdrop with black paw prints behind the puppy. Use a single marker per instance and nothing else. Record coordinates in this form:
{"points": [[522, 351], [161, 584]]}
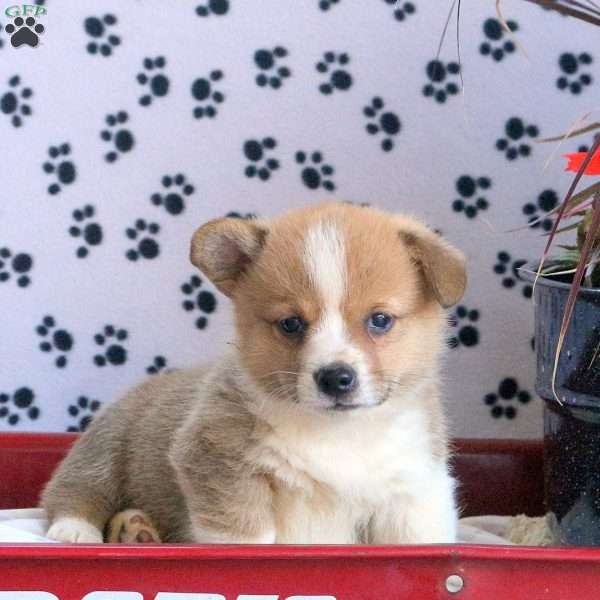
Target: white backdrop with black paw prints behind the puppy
{"points": [[125, 125]]}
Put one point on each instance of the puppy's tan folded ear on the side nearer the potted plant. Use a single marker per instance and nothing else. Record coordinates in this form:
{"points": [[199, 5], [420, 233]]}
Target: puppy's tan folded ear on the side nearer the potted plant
{"points": [[443, 266]]}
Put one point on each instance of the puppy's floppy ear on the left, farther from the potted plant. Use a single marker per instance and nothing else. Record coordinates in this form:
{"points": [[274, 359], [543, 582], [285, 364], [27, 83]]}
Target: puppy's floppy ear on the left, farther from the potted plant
{"points": [[224, 248]]}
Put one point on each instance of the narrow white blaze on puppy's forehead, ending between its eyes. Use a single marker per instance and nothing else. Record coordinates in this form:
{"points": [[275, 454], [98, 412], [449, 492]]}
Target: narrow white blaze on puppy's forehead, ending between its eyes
{"points": [[325, 263]]}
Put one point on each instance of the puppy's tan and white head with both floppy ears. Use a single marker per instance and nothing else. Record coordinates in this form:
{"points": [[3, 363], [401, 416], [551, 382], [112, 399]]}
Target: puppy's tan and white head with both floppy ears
{"points": [[337, 307]]}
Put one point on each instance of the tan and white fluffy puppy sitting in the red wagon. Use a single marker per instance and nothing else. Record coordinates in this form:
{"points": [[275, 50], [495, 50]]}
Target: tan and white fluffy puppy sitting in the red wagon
{"points": [[324, 424]]}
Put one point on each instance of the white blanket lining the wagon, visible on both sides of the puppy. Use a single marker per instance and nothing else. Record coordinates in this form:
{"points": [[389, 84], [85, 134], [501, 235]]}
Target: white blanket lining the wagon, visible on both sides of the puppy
{"points": [[29, 525]]}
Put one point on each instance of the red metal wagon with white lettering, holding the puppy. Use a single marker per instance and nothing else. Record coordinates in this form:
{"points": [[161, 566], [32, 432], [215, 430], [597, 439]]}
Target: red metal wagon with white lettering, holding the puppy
{"points": [[497, 477]]}
